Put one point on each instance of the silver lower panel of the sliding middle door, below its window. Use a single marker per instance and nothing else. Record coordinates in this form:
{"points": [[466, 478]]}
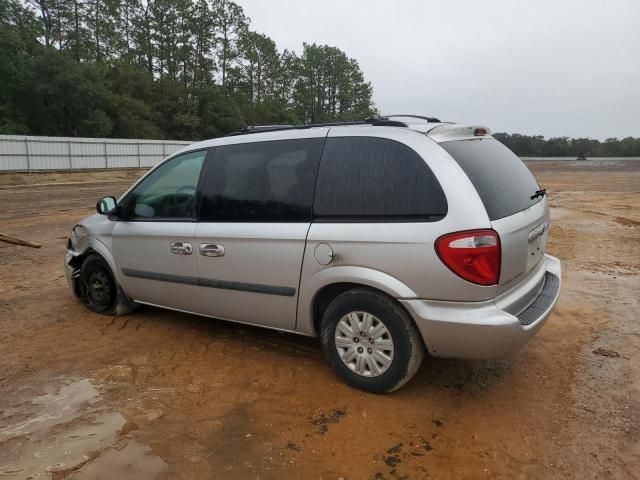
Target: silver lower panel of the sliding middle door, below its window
{"points": [[256, 278]]}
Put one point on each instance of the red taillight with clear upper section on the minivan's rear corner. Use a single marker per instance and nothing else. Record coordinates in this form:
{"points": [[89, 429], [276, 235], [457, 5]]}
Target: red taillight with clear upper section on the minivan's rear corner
{"points": [[473, 255]]}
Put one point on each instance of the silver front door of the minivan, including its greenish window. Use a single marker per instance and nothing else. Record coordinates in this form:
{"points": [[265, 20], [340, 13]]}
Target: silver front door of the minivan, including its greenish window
{"points": [[154, 246]]}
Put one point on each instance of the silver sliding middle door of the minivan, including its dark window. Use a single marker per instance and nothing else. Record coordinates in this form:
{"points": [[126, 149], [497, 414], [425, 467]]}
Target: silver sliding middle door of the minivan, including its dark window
{"points": [[255, 216]]}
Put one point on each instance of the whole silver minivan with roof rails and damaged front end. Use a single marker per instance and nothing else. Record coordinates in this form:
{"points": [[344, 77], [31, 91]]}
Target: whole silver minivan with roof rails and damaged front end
{"points": [[385, 238]]}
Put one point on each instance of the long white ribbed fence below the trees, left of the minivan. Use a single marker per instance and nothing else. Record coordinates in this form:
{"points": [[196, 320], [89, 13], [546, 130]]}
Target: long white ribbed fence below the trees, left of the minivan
{"points": [[20, 153]]}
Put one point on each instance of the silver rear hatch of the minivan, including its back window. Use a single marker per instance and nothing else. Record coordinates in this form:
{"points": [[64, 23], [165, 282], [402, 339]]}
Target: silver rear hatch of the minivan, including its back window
{"points": [[518, 212]]}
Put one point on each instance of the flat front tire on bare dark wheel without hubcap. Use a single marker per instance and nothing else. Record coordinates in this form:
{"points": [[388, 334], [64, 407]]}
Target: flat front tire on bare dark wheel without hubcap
{"points": [[98, 289]]}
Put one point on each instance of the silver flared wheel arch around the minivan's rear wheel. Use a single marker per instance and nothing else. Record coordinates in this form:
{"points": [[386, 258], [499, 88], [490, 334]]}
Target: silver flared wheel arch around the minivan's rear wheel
{"points": [[310, 286]]}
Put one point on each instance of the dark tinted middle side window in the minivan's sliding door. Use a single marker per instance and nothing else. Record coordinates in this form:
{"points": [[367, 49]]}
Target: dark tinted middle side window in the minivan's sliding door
{"points": [[261, 182]]}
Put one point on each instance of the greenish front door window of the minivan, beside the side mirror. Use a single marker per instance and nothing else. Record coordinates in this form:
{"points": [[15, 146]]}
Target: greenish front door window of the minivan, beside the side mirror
{"points": [[169, 192]]}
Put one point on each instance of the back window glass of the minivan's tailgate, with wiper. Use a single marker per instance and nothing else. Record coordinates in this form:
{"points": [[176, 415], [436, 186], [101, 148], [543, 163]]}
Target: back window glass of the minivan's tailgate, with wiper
{"points": [[503, 182]]}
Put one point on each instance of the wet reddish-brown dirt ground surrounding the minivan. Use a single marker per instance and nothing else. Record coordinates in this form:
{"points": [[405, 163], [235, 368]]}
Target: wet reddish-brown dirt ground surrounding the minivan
{"points": [[160, 394]]}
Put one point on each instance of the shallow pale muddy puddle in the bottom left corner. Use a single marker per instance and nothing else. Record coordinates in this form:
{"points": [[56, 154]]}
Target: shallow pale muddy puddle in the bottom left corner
{"points": [[69, 433]]}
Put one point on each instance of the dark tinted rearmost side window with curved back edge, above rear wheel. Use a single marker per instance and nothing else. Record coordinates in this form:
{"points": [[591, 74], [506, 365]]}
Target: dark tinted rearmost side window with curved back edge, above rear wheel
{"points": [[375, 179]]}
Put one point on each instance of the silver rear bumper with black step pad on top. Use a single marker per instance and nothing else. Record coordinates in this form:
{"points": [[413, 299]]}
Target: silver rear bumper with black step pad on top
{"points": [[492, 329]]}
